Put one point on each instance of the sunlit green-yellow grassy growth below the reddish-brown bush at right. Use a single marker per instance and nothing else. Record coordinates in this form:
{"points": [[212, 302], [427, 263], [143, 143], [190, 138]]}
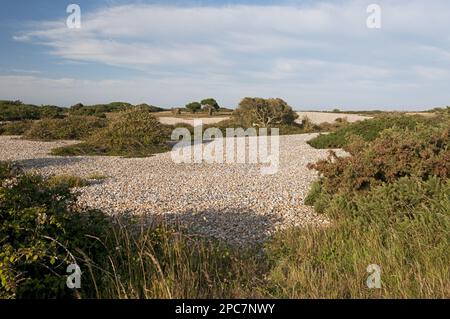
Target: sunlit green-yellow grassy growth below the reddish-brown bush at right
{"points": [[412, 251]]}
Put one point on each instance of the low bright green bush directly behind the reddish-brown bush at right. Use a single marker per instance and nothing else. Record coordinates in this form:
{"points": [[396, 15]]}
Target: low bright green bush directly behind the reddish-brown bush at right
{"points": [[367, 130]]}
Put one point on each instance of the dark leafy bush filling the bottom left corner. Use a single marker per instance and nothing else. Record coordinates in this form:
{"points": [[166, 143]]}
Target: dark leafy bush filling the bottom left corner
{"points": [[42, 231]]}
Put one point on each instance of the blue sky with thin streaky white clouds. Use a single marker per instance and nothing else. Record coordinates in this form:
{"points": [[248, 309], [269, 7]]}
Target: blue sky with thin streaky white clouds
{"points": [[316, 55]]}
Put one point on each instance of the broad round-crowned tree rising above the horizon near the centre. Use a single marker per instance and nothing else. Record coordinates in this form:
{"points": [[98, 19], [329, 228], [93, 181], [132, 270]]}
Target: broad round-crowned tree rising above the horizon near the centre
{"points": [[264, 112]]}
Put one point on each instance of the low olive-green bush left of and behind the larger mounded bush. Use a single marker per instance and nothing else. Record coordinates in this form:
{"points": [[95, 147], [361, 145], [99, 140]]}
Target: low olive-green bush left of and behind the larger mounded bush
{"points": [[69, 128]]}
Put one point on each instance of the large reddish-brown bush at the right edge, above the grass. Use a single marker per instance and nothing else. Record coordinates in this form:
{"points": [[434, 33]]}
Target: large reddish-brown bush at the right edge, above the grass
{"points": [[423, 152]]}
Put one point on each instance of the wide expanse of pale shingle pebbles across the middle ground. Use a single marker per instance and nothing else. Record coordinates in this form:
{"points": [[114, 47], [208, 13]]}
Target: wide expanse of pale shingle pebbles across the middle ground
{"points": [[234, 202]]}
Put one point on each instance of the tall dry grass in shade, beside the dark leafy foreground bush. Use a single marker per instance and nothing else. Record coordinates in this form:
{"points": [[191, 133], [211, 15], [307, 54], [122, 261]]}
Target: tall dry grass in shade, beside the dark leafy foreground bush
{"points": [[160, 262]]}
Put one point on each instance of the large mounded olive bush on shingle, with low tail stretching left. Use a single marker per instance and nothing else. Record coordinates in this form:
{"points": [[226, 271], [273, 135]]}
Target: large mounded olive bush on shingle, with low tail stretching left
{"points": [[135, 132]]}
